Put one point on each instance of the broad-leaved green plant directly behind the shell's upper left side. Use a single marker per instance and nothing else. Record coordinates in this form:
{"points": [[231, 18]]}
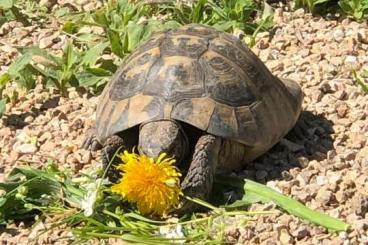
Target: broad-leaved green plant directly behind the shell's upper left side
{"points": [[125, 24]]}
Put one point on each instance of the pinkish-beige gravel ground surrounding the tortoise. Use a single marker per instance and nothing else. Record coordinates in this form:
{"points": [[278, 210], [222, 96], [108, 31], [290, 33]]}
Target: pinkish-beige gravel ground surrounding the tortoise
{"points": [[326, 168]]}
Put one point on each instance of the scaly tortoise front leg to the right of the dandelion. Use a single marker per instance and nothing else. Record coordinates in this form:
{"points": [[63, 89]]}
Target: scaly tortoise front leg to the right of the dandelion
{"points": [[199, 179]]}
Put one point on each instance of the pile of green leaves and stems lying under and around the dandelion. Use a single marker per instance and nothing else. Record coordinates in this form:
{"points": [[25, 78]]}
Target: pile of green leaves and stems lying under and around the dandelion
{"points": [[88, 207]]}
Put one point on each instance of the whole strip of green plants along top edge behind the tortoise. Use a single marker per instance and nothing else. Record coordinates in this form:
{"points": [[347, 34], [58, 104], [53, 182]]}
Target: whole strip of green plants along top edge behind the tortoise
{"points": [[126, 24]]}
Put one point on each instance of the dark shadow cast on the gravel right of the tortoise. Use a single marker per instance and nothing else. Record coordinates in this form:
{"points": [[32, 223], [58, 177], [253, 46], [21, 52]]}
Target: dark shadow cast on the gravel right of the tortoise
{"points": [[309, 140]]}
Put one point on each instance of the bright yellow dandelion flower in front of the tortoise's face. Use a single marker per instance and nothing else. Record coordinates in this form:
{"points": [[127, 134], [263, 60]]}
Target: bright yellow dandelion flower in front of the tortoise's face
{"points": [[152, 184]]}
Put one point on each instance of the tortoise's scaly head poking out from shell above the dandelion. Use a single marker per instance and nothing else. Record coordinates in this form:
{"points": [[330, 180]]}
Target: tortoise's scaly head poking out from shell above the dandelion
{"points": [[163, 136]]}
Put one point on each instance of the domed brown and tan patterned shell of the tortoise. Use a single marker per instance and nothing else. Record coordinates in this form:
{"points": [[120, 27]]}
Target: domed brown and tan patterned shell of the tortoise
{"points": [[205, 78]]}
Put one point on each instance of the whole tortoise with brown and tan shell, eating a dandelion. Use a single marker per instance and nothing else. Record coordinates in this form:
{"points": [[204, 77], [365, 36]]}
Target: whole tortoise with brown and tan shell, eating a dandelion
{"points": [[200, 95]]}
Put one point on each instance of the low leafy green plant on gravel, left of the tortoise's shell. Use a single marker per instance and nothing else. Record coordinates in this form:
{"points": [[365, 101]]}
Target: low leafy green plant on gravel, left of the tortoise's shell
{"points": [[75, 68]]}
